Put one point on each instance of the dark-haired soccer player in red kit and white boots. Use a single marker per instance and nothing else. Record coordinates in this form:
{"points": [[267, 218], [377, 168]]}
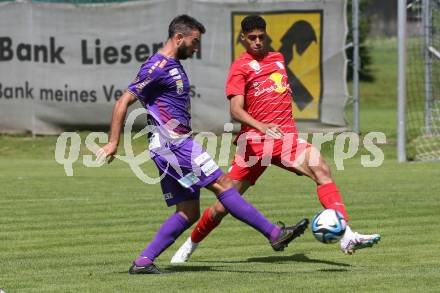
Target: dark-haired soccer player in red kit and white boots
{"points": [[260, 98]]}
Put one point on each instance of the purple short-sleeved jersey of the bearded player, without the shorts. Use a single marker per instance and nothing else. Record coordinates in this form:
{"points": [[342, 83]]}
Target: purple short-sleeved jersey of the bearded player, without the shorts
{"points": [[163, 87]]}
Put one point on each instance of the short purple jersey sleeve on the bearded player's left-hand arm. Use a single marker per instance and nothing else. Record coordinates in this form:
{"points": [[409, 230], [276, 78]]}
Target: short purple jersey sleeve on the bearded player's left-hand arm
{"points": [[147, 78]]}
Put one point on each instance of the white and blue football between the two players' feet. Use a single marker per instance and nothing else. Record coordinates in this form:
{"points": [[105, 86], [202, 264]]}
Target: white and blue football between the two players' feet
{"points": [[328, 226]]}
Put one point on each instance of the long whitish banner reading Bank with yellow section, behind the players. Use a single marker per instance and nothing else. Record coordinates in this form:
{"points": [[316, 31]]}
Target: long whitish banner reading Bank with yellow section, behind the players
{"points": [[63, 66]]}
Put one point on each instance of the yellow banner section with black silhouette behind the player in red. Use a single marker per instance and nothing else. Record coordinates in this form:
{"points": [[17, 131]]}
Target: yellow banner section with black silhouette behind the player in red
{"points": [[297, 35]]}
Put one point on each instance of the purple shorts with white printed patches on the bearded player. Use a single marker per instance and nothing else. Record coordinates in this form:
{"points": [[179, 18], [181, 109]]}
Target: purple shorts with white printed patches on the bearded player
{"points": [[185, 169]]}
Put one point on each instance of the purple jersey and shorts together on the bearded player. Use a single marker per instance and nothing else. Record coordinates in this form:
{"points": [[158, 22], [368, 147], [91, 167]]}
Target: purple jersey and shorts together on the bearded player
{"points": [[163, 87]]}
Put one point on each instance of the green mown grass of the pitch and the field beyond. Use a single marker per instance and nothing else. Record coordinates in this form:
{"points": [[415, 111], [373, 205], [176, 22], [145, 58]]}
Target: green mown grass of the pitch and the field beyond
{"points": [[80, 233]]}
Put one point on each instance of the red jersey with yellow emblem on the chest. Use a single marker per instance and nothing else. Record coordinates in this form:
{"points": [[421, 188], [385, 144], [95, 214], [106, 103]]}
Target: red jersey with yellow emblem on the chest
{"points": [[264, 85]]}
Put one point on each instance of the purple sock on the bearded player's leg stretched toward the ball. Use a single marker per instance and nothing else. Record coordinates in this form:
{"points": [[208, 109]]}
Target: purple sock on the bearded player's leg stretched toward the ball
{"points": [[245, 212]]}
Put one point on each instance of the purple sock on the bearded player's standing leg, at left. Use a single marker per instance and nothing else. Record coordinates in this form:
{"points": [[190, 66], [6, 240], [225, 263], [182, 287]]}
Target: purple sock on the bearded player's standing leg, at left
{"points": [[167, 234]]}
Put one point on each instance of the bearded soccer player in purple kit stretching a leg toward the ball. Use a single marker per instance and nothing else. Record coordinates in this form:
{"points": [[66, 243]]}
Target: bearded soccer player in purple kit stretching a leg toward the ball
{"points": [[163, 88]]}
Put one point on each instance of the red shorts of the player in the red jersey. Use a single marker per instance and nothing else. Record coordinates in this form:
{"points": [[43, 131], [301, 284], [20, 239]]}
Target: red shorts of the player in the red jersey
{"points": [[252, 159]]}
